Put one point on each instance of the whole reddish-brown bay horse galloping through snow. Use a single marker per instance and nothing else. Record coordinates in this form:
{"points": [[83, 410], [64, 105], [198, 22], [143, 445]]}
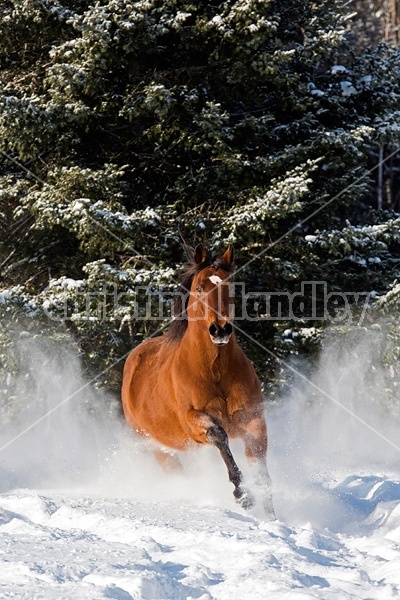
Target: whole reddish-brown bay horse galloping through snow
{"points": [[194, 384]]}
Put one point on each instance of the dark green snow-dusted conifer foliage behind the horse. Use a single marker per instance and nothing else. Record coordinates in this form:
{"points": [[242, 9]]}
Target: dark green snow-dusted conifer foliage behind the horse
{"points": [[124, 123]]}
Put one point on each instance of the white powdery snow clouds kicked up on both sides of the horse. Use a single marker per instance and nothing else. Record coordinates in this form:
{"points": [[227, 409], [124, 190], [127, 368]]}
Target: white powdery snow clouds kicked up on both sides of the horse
{"points": [[71, 437]]}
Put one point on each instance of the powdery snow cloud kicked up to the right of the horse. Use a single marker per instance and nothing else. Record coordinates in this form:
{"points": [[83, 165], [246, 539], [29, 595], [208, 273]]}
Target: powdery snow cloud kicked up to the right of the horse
{"points": [[335, 422]]}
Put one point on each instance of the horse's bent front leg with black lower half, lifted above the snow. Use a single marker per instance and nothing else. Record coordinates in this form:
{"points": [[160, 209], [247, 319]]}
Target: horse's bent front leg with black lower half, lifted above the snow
{"points": [[204, 430]]}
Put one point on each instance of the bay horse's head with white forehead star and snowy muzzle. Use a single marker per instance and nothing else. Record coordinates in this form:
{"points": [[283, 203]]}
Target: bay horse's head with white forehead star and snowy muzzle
{"points": [[211, 303]]}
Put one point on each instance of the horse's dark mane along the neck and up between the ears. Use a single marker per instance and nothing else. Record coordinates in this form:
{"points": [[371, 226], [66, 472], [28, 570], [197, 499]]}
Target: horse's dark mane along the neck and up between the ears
{"points": [[177, 329]]}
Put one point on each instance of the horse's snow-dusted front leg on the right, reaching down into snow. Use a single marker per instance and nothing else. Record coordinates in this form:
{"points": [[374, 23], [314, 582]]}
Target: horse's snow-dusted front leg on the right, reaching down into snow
{"points": [[255, 442]]}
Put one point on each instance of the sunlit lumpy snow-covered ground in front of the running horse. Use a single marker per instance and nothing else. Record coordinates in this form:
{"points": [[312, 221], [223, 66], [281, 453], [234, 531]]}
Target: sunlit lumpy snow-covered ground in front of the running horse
{"points": [[59, 546]]}
